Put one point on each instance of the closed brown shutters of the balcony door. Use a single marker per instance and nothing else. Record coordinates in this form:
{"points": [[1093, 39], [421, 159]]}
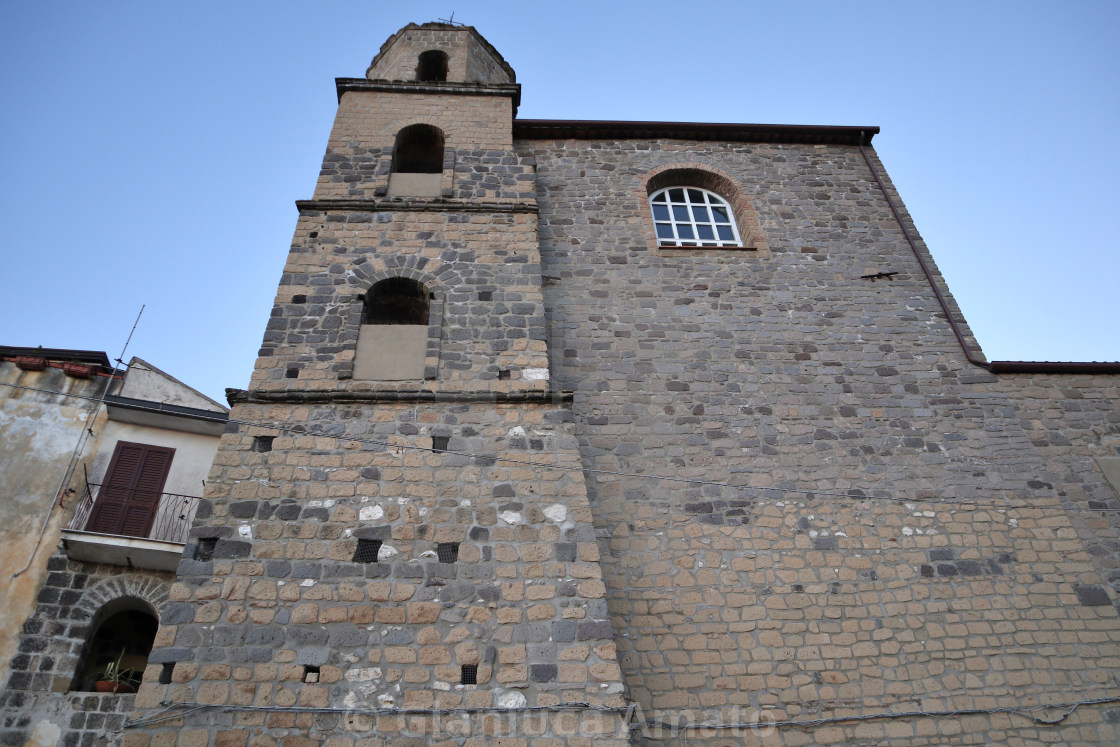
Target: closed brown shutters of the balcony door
{"points": [[129, 498]]}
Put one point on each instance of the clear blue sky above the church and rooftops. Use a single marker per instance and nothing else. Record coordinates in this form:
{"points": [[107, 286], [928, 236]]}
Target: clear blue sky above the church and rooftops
{"points": [[153, 151]]}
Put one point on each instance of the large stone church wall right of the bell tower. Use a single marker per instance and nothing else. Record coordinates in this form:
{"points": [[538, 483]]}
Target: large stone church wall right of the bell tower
{"points": [[810, 503]]}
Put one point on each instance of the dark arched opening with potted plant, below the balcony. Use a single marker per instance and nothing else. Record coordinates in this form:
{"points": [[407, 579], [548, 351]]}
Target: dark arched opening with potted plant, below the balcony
{"points": [[124, 633]]}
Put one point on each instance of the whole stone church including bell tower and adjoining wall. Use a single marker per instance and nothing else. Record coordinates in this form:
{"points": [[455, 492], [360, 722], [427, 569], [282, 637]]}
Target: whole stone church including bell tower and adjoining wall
{"points": [[632, 433]]}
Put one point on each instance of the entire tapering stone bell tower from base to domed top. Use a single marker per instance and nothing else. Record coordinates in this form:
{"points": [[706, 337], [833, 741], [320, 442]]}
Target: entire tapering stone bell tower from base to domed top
{"points": [[397, 527]]}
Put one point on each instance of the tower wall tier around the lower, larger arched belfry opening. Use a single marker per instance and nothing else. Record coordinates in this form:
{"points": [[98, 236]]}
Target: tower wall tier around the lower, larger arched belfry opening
{"points": [[489, 292]]}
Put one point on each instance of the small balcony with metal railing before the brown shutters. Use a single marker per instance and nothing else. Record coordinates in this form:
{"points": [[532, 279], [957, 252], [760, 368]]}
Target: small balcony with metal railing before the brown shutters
{"points": [[135, 529]]}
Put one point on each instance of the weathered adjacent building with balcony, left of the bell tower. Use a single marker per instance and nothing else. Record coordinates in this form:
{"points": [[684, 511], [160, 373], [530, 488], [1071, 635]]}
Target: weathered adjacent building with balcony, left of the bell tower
{"points": [[102, 470]]}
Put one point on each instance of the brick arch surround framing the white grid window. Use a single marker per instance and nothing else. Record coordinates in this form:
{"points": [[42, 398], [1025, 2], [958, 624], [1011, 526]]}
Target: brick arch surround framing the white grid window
{"points": [[713, 179]]}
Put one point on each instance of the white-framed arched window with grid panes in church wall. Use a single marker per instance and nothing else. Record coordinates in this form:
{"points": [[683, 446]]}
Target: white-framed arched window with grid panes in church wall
{"points": [[688, 217]]}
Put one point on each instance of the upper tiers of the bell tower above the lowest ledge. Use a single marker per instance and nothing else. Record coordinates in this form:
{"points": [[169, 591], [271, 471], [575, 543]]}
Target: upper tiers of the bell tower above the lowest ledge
{"points": [[424, 144]]}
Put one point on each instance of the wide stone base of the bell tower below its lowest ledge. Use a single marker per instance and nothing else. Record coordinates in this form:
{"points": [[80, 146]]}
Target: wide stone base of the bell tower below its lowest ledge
{"points": [[275, 583]]}
